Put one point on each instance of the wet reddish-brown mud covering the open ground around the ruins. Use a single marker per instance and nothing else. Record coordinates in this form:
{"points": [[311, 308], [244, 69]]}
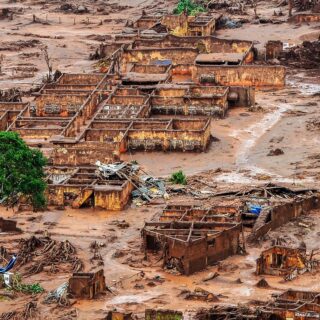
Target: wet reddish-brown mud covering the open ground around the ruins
{"points": [[282, 119]]}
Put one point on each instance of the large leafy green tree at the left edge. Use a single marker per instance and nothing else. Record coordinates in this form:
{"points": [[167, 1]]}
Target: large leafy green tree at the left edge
{"points": [[21, 172]]}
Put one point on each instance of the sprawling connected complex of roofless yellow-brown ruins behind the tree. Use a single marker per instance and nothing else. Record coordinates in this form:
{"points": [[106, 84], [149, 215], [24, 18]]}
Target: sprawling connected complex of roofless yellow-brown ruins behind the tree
{"points": [[161, 83]]}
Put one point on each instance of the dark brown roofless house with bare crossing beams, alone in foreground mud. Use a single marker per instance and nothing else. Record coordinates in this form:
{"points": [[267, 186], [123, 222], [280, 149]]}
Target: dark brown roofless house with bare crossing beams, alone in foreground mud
{"points": [[190, 246]]}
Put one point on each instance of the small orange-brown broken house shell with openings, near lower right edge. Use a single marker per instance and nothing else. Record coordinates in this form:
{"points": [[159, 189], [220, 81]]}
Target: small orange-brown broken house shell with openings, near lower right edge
{"points": [[284, 261]]}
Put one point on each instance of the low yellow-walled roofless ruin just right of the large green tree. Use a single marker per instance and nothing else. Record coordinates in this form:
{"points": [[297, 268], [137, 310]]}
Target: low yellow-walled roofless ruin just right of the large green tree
{"points": [[82, 187]]}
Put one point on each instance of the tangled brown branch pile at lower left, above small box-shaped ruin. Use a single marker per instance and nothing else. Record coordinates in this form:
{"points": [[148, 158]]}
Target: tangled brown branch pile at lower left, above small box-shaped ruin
{"points": [[46, 252]]}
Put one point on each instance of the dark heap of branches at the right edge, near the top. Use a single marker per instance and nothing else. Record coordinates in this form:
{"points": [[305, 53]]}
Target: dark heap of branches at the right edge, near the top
{"points": [[306, 56]]}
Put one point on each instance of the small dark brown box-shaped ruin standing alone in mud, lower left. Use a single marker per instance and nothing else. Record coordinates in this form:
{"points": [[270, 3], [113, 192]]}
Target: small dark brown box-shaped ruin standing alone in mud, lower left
{"points": [[87, 285]]}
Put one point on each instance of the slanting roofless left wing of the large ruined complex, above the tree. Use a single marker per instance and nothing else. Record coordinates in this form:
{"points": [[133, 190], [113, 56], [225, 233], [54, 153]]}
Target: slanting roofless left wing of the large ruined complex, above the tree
{"points": [[60, 108]]}
